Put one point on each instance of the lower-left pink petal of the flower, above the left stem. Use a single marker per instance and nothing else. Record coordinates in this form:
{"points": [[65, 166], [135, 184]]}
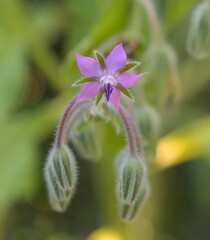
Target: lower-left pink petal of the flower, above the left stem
{"points": [[89, 91]]}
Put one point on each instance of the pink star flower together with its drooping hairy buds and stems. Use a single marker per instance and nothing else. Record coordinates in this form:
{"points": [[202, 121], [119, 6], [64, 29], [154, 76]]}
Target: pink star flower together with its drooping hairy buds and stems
{"points": [[103, 78]]}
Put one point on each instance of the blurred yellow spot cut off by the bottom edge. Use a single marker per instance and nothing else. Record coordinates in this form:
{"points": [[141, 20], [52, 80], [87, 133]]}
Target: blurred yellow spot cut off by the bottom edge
{"points": [[104, 234]]}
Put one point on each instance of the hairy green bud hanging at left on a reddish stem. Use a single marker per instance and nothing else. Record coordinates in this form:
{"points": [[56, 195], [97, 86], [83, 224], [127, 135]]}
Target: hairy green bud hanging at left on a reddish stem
{"points": [[60, 175]]}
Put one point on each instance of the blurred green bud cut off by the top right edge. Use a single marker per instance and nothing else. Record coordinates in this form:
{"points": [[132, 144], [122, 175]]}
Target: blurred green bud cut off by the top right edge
{"points": [[198, 40]]}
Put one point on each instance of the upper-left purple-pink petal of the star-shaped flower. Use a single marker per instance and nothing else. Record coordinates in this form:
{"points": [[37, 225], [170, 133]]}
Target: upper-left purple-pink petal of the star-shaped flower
{"points": [[89, 67]]}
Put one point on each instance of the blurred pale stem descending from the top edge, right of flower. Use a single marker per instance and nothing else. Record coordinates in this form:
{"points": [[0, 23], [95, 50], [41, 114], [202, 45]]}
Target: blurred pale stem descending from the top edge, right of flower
{"points": [[154, 20]]}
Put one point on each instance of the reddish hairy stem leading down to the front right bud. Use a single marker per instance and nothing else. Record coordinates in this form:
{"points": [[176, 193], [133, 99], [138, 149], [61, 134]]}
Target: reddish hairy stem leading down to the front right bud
{"points": [[131, 137]]}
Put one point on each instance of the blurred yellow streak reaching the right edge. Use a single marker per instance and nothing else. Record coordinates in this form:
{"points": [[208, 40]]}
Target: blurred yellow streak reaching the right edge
{"points": [[184, 144]]}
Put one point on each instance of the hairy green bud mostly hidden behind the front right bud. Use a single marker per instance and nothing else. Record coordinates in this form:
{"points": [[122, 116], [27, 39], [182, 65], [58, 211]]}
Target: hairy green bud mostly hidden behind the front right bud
{"points": [[129, 211]]}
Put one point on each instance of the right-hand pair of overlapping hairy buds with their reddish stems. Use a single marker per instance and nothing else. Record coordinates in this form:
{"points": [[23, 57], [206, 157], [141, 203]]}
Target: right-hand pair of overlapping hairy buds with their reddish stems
{"points": [[132, 181]]}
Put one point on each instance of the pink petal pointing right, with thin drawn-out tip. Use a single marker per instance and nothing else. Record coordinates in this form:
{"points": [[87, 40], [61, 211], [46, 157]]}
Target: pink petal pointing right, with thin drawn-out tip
{"points": [[128, 80]]}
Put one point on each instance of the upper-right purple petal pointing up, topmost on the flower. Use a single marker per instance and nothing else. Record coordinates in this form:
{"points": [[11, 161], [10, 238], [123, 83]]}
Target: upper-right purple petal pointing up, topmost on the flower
{"points": [[116, 60]]}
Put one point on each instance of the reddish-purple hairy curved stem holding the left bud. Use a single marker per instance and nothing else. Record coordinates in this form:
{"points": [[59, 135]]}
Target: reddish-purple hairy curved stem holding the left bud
{"points": [[60, 131]]}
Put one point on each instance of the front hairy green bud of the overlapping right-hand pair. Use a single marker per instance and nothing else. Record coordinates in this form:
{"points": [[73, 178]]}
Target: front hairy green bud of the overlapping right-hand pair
{"points": [[130, 178]]}
